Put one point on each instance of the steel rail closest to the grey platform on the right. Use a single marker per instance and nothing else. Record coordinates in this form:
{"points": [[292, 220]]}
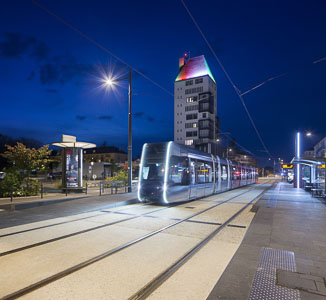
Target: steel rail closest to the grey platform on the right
{"points": [[163, 276]]}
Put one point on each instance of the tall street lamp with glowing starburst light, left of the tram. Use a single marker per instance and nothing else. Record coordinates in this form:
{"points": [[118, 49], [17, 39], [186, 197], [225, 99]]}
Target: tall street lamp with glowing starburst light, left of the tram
{"points": [[111, 82]]}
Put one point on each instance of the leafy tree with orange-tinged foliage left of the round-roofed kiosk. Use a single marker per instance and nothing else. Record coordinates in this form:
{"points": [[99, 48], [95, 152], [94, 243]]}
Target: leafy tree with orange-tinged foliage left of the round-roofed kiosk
{"points": [[23, 158]]}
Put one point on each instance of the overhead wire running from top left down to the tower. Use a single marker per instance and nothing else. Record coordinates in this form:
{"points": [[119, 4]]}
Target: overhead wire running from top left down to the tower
{"points": [[97, 44]]}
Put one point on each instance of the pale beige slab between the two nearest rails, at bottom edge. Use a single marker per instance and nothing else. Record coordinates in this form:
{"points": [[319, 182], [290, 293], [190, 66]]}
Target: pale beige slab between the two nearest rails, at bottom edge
{"points": [[119, 276]]}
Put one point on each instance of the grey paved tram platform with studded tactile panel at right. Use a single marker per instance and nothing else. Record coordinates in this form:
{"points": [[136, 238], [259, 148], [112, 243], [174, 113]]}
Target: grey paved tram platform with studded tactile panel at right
{"points": [[283, 254]]}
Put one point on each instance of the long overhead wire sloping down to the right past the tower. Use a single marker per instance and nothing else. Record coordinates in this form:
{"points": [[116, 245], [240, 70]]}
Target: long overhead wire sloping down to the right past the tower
{"points": [[228, 77]]}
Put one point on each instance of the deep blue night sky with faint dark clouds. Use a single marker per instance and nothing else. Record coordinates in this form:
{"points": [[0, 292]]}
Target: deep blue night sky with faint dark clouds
{"points": [[50, 75]]}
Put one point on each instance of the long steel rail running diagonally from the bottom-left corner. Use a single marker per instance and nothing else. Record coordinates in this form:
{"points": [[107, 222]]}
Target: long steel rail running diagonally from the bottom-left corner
{"points": [[77, 267]]}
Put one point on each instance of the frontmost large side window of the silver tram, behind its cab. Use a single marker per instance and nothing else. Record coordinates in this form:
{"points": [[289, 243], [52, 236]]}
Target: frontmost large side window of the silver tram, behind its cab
{"points": [[179, 170]]}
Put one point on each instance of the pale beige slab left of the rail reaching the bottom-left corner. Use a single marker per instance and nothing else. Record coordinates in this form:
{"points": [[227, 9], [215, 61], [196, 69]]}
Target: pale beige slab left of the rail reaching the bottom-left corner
{"points": [[43, 261]]}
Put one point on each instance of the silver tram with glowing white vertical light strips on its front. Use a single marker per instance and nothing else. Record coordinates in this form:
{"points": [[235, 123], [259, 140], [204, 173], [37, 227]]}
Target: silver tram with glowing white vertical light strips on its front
{"points": [[171, 172]]}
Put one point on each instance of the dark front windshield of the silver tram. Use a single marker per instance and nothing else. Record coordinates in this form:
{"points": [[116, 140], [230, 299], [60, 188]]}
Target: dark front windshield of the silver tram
{"points": [[153, 163]]}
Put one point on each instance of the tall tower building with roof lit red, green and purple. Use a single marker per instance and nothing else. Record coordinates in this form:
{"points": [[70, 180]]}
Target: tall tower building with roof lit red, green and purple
{"points": [[195, 121]]}
